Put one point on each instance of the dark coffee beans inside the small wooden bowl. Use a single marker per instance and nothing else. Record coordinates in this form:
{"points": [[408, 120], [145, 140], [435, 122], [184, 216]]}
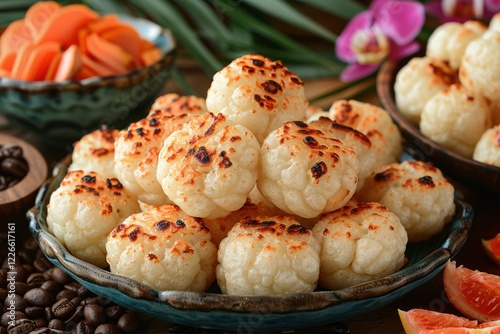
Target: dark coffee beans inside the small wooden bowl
{"points": [[13, 166]]}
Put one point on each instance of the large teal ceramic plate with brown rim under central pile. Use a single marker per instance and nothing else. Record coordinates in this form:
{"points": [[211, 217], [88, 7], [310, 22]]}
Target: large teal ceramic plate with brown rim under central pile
{"points": [[216, 311]]}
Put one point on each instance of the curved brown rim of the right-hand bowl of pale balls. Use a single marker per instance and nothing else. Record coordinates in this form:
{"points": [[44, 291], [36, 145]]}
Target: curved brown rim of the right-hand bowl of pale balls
{"points": [[385, 89]]}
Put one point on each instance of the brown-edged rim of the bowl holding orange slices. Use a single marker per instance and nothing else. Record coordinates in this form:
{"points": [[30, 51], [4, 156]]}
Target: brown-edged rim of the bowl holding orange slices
{"points": [[35, 86]]}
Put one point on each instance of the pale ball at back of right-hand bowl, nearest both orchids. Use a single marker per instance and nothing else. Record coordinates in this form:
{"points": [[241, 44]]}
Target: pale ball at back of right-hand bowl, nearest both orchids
{"points": [[449, 40]]}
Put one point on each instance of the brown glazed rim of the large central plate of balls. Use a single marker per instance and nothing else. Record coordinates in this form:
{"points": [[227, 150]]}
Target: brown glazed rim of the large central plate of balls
{"points": [[420, 271]]}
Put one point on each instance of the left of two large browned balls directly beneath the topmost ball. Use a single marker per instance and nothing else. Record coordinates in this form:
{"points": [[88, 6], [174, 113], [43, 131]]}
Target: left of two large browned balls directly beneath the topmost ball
{"points": [[209, 166]]}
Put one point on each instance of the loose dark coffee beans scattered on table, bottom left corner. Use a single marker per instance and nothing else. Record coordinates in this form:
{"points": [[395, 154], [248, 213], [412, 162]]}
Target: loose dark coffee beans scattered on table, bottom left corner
{"points": [[37, 297]]}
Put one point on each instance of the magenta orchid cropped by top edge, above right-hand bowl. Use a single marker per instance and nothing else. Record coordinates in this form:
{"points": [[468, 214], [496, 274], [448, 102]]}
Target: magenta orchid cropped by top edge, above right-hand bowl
{"points": [[463, 10]]}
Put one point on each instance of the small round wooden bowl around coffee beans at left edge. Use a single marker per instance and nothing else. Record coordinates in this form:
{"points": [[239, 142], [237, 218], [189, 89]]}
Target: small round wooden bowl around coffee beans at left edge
{"points": [[17, 200]]}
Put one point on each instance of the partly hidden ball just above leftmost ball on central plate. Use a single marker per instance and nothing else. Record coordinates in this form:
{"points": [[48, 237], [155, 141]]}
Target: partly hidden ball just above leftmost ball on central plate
{"points": [[95, 152]]}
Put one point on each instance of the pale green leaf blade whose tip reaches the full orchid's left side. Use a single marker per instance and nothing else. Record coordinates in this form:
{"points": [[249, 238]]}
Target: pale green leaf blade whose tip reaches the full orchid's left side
{"points": [[283, 11]]}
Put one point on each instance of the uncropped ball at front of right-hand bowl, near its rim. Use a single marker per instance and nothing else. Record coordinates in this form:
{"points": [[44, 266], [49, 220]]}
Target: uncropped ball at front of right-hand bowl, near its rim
{"points": [[456, 118]]}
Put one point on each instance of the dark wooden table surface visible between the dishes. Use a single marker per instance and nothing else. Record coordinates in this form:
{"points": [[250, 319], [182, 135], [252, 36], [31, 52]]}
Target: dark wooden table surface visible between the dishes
{"points": [[430, 295]]}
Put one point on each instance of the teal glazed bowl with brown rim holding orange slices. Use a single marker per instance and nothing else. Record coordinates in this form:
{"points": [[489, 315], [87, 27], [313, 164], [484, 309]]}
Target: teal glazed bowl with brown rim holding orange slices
{"points": [[59, 113]]}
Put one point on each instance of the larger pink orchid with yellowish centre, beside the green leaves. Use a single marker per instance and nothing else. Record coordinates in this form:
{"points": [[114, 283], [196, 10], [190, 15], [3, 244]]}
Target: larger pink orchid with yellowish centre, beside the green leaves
{"points": [[387, 29]]}
